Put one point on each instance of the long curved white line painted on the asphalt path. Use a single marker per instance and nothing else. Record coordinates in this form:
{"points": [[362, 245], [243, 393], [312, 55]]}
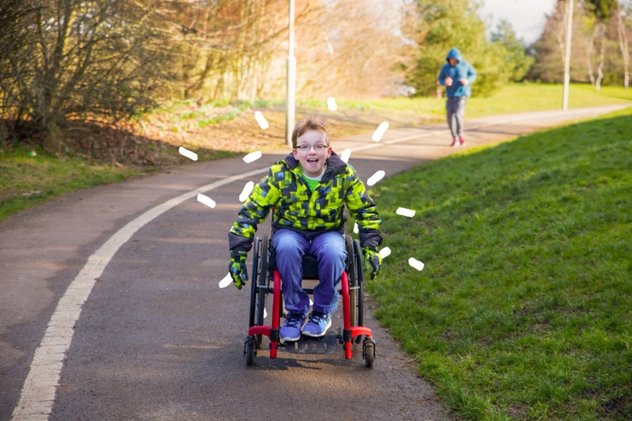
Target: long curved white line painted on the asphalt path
{"points": [[38, 392]]}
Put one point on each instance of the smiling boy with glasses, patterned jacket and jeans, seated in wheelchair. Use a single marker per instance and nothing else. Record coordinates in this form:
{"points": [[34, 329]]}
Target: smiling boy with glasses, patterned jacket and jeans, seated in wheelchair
{"points": [[307, 191]]}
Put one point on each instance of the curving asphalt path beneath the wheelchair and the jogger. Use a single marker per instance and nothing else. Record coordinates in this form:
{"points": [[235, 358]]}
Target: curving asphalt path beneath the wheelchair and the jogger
{"points": [[110, 306]]}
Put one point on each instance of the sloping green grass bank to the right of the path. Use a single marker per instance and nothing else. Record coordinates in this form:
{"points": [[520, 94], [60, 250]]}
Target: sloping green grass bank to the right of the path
{"points": [[524, 308]]}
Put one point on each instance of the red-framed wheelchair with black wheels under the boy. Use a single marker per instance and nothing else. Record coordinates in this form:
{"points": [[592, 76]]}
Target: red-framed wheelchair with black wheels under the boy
{"points": [[266, 280]]}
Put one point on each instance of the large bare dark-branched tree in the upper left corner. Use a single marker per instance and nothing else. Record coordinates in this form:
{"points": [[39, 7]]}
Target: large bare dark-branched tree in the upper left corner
{"points": [[86, 59]]}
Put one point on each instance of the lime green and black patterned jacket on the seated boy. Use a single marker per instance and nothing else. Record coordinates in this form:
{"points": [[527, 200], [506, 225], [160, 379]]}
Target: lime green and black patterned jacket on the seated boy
{"points": [[296, 207]]}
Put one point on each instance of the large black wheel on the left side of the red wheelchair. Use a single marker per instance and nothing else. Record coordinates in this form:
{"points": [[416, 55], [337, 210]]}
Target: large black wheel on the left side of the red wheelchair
{"points": [[258, 288]]}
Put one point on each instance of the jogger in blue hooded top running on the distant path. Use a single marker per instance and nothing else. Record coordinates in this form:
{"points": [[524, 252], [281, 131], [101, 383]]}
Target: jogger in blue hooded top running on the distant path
{"points": [[456, 75]]}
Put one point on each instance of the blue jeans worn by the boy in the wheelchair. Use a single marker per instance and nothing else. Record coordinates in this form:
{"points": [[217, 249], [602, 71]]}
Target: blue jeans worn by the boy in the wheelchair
{"points": [[331, 254]]}
